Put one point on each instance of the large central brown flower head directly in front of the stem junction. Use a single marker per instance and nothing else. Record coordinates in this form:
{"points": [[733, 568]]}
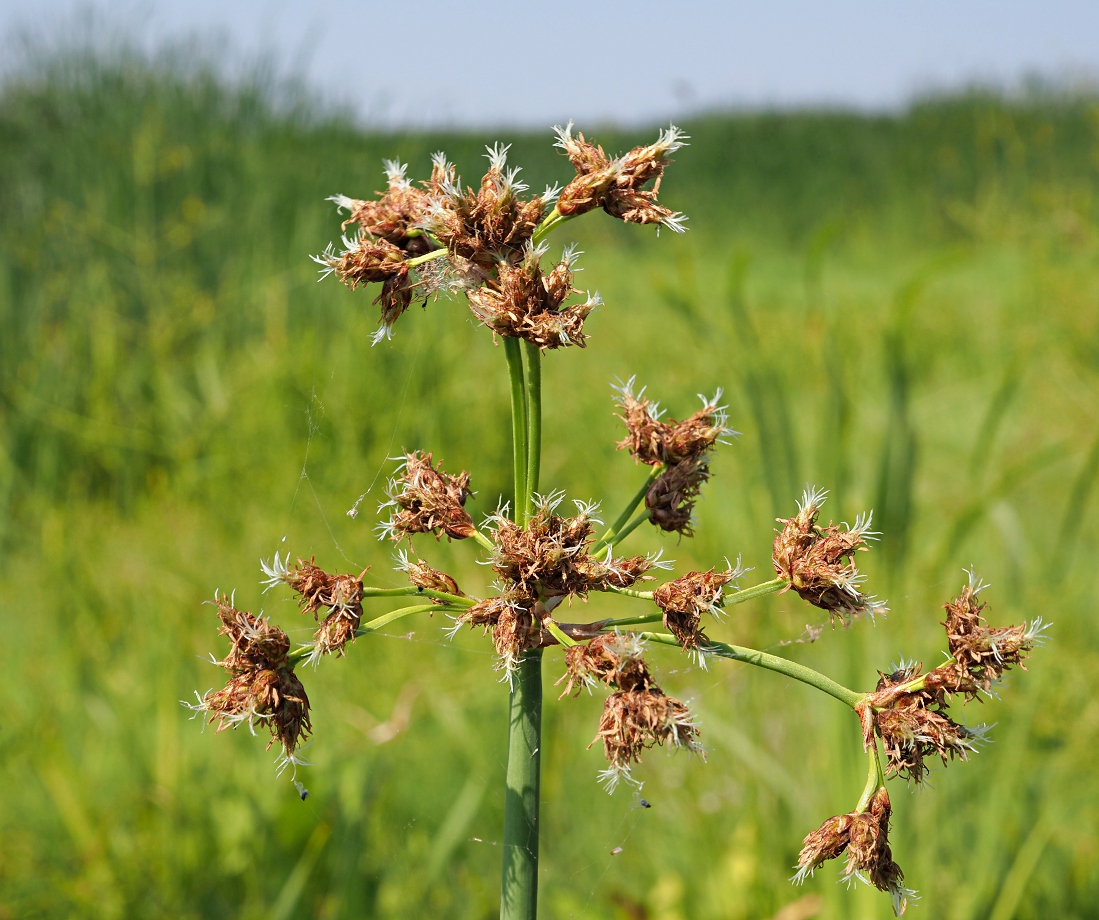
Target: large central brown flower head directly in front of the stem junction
{"points": [[549, 558]]}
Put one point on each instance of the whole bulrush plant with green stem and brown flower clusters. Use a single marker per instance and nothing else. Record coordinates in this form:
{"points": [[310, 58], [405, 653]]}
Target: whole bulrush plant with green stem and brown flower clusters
{"points": [[490, 243]]}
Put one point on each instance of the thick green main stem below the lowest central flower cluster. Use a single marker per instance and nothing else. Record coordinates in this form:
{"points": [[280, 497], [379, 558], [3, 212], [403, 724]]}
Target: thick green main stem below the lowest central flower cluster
{"points": [[520, 880]]}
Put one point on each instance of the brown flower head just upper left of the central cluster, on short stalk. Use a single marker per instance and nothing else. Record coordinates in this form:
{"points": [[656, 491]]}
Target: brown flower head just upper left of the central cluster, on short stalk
{"points": [[427, 501]]}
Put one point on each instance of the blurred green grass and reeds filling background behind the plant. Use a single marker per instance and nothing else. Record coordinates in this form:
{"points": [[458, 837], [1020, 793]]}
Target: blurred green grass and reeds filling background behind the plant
{"points": [[903, 309]]}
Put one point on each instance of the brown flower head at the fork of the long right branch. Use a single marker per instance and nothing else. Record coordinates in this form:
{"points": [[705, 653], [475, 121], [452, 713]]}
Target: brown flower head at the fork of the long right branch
{"points": [[914, 725]]}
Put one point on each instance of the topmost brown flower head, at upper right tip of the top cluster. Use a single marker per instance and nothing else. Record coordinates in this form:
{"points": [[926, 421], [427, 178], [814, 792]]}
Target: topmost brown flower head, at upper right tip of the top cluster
{"points": [[618, 186]]}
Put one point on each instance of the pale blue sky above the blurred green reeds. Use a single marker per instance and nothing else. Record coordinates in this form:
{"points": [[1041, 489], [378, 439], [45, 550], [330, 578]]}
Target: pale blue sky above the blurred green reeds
{"points": [[537, 64]]}
